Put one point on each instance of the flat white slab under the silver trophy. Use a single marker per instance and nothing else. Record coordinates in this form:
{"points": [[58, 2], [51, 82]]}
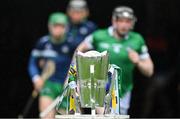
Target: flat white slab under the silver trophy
{"points": [[92, 116]]}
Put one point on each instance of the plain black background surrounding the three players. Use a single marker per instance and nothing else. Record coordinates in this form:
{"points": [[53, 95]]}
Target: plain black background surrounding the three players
{"points": [[22, 22]]}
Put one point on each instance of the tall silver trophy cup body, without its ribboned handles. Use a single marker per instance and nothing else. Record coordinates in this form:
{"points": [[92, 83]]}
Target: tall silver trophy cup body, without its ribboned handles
{"points": [[92, 68]]}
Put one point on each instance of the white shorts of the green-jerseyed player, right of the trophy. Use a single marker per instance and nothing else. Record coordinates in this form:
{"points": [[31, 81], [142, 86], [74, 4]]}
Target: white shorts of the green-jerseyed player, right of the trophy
{"points": [[125, 103]]}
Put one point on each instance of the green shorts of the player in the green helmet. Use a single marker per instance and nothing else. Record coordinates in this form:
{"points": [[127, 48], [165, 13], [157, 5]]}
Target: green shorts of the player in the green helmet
{"points": [[52, 90]]}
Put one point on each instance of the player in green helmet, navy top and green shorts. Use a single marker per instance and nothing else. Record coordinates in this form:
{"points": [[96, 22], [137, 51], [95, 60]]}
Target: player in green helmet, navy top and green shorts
{"points": [[59, 49]]}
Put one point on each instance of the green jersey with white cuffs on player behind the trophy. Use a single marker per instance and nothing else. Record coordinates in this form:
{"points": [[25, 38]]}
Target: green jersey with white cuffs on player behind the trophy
{"points": [[102, 40]]}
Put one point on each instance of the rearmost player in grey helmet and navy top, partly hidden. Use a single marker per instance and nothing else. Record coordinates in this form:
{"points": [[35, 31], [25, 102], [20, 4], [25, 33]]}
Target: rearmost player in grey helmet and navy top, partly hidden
{"points": [[79, 25]]}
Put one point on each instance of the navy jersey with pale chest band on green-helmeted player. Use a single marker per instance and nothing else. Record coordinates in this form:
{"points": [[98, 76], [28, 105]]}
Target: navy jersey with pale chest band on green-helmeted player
{"points": [[60, 53]]}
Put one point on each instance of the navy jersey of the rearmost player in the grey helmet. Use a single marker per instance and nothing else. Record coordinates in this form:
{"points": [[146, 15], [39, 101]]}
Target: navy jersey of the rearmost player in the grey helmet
{"points": [[80, 31]]}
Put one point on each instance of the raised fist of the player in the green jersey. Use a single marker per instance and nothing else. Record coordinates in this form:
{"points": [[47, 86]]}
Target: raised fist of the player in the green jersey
{"points": [[133, 56]]}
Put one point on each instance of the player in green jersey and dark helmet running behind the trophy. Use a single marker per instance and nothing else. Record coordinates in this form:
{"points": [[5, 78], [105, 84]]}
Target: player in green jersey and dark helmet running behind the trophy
{"points": [[127, 49]]}
